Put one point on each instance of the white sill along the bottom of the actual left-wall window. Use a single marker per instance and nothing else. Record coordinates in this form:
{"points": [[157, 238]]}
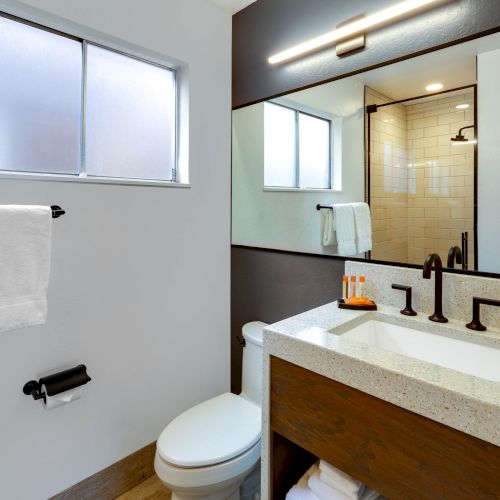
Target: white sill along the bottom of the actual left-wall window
{"points": [[90, 180]]}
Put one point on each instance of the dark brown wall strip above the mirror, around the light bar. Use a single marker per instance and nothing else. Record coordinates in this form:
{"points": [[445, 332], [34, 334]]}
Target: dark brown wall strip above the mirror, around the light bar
{"points": [[269, 26]]}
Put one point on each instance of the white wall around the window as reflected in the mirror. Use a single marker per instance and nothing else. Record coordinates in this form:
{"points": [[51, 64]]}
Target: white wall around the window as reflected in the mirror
{"points": [[289, 220]]}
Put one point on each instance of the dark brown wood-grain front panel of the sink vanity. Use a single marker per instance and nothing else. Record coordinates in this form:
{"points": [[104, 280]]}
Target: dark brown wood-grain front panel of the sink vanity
{"points": [[398, 453]]}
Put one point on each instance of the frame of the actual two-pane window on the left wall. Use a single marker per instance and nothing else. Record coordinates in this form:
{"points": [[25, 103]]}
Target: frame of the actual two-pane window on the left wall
{"points": [[82, 176]]}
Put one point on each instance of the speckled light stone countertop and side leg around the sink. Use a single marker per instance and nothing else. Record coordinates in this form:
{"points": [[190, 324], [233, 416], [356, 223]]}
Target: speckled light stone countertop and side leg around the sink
{"points": [[313, 340]]}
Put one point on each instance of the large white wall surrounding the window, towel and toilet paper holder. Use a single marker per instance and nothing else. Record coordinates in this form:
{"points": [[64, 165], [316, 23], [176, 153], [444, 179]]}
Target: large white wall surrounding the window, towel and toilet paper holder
{"points": [[139, 288]]}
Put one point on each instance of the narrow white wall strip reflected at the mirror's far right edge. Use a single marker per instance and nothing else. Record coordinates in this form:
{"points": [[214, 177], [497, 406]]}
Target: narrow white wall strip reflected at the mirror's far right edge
{"points": [[488, 79]]}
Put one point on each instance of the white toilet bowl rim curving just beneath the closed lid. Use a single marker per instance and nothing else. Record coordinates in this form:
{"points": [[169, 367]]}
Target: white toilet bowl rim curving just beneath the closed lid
{"points": [[182, 477]]}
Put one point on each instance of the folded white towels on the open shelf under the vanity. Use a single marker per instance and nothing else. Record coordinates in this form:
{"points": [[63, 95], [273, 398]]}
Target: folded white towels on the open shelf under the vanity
{"points": [[325, 482]]}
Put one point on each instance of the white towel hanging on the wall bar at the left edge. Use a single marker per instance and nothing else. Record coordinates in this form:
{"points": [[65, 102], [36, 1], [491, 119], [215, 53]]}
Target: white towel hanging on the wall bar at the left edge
{"points": [[25, 244]]}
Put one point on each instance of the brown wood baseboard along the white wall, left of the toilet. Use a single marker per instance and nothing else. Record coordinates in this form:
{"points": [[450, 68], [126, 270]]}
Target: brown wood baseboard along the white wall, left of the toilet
{"points": [[115, 479]]}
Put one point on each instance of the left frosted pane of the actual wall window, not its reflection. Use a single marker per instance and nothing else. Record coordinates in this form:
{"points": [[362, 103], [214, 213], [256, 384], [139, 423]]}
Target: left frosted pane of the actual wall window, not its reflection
{"points": [[40, 100]]}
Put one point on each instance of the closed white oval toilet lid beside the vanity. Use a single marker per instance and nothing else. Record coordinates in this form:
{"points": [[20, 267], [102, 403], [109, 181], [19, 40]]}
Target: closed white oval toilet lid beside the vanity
{"points": [[212, 432]]}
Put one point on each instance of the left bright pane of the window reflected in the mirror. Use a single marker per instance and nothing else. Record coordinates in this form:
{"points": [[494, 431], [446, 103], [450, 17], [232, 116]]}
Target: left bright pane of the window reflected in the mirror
{"points": [[279, 146]]}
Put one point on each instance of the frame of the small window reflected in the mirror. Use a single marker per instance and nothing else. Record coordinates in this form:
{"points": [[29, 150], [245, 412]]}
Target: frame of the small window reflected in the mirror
{"points": [[299, 109]]}
